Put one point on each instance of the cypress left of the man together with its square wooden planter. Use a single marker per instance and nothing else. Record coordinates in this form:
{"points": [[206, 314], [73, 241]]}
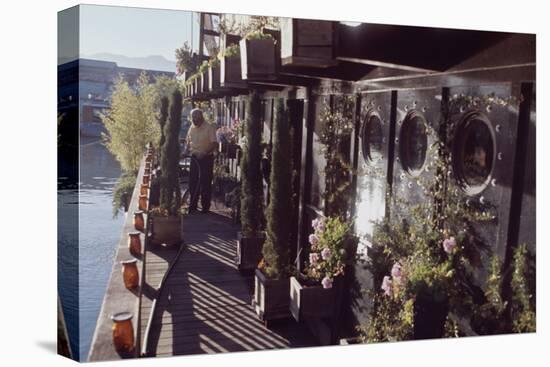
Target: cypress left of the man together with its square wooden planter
{"points": [[166, 219]]}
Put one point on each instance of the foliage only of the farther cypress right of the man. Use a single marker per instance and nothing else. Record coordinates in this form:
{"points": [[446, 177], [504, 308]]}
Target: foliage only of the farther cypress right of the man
{"points": [[251, 184]]}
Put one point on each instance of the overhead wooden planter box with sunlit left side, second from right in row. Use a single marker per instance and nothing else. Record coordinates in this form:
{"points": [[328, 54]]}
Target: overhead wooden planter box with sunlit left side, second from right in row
{"points": [[258, 59]]}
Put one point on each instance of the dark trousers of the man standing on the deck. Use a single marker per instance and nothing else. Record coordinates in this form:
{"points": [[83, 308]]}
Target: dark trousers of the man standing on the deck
{"points": [[201, 186]]}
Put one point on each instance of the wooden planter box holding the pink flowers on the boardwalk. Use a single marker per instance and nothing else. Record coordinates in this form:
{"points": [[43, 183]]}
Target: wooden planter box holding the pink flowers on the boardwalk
{"points": [[312, 301]]}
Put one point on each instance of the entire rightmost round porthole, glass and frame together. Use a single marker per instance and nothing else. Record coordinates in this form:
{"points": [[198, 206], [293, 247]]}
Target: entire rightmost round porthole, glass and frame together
{"points": [[474, 151]]}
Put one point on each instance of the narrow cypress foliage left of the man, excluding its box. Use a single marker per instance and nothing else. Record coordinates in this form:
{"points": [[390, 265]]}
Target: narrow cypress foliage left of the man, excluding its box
{"points": [[170, 194]]}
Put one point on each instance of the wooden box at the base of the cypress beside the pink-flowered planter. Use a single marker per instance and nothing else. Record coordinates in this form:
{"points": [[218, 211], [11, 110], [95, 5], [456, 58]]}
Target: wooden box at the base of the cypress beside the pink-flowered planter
{"points": [[271, 297]]}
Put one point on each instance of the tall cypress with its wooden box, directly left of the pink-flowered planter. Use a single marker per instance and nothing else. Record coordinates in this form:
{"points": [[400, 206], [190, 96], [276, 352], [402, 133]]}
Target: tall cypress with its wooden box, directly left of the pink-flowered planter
{"points": [[272, 287]]}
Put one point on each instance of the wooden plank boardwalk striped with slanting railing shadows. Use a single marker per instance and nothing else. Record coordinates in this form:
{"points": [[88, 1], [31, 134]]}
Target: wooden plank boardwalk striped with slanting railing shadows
{"points": [[204, 306]]}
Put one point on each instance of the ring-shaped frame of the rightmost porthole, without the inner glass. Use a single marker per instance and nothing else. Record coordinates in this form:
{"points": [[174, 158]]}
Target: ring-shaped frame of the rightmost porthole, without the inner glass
{"points": [[459, 137]]}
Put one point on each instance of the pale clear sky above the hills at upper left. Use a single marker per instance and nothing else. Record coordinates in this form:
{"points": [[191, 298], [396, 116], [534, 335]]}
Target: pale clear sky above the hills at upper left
{"points": [[135, 32]]}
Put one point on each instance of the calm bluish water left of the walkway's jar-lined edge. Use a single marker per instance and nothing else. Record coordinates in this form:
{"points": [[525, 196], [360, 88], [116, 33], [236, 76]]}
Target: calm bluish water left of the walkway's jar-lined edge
{"points": [[98, 235]]}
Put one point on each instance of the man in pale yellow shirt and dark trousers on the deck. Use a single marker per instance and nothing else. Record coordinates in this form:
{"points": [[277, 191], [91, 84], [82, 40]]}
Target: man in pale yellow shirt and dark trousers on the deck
{"points": [[201, 144]]}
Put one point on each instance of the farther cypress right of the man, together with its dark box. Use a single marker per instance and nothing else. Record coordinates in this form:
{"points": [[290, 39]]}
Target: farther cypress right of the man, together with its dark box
{"points": [[251, 237]]}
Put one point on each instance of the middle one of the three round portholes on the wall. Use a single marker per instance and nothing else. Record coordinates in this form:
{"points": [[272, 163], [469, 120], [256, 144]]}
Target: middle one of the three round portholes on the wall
{"points": [[413, 143]]}
